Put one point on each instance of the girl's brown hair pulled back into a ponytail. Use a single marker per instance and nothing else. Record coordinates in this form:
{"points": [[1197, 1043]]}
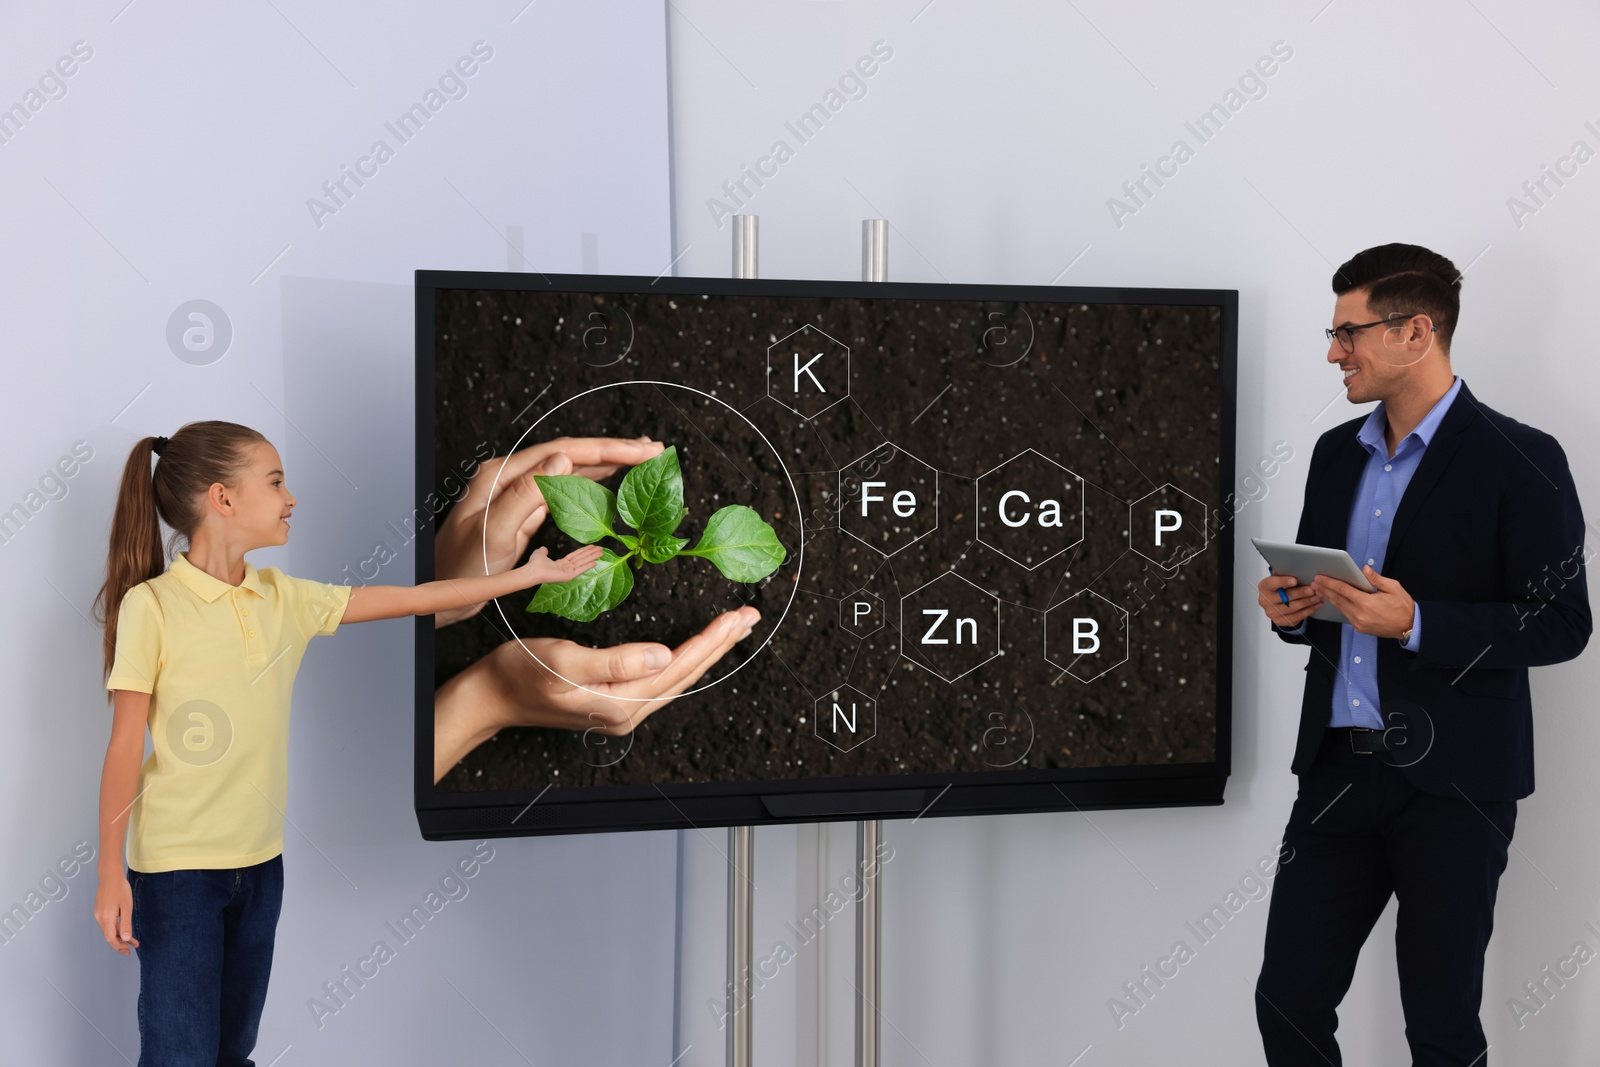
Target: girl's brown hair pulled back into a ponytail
{"points": [[191, 463]]}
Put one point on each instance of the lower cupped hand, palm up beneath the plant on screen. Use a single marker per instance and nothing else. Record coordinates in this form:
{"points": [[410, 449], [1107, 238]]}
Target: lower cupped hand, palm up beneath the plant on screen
{"points": [[566, 685]]}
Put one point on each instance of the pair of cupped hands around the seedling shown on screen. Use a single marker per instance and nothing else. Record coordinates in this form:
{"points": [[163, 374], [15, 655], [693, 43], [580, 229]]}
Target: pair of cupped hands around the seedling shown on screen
{"points": [[553, 682]]}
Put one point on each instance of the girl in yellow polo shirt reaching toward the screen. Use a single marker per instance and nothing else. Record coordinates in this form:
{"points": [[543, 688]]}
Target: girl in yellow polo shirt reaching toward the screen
{"points": [[206, 655]]}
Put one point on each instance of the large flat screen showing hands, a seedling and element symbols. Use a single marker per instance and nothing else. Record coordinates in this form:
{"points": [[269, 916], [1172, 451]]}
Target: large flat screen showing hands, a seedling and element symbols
{"points": [[972, 541]]}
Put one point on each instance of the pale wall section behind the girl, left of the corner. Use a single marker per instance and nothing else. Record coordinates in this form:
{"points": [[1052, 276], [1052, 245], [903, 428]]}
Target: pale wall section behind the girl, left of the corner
{"points": [[178, 167]]}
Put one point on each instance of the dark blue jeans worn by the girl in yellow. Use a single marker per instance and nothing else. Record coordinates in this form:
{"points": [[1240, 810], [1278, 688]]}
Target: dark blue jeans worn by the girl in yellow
{"points": [[206, 953]]}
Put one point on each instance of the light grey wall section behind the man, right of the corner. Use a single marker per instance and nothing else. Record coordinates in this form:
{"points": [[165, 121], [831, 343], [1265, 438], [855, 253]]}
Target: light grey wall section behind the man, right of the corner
{"points": [[993, 140]]}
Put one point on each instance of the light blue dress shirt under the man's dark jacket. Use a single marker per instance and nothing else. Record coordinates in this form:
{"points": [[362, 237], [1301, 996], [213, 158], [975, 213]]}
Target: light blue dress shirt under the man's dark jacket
{"points": [[1372, 518]]}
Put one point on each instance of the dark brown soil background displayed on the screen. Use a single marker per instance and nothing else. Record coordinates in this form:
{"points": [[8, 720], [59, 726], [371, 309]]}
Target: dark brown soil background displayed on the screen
{"points": [[1124, 398]]}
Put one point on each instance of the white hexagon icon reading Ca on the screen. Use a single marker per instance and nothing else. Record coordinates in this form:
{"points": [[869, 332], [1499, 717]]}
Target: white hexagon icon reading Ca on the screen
{"points": [[1030, 510]]}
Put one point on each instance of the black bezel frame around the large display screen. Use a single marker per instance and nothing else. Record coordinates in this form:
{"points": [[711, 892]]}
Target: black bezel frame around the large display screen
{"points": [[593, 810]]}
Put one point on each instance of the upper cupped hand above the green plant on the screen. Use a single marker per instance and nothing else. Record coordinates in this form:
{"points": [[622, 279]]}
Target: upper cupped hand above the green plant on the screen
{"points": [[482, 537]]}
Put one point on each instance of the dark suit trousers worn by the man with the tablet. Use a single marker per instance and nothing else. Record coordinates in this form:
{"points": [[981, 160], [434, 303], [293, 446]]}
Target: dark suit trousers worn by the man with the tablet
{"points": [[1359, 833]]}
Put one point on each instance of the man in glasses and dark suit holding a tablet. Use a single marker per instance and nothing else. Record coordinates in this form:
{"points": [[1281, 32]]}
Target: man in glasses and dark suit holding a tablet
{"points": [[1417, 732]]}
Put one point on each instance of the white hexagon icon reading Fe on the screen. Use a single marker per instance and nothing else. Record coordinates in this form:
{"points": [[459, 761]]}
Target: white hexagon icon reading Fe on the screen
{"points": [[889, 500]]}
